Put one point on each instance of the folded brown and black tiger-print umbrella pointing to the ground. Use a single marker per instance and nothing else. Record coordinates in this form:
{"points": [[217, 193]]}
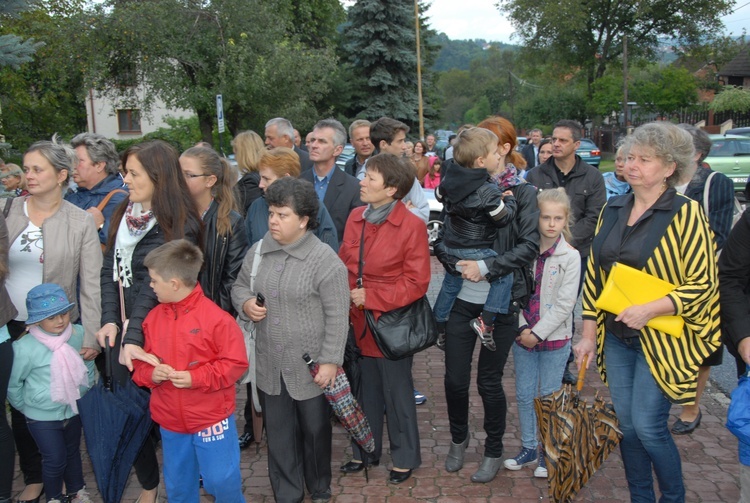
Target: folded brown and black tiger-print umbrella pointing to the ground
{"points": [[576, 438]]}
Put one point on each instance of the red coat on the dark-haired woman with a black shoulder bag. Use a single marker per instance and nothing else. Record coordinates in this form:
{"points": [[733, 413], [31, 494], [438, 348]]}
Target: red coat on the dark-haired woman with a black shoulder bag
{"points": [[396, 270]]}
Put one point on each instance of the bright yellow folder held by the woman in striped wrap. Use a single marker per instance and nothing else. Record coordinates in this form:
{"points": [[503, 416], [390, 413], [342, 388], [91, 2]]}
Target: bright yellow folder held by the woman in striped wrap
{"points": [[627, 286]]}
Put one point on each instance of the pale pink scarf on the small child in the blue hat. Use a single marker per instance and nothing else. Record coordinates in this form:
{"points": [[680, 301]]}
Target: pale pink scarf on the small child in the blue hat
{"points": [[67, 370]]}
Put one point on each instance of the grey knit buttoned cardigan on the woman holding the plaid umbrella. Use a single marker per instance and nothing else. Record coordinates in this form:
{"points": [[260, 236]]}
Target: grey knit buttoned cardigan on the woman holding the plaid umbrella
{"points": [[307, 297]]}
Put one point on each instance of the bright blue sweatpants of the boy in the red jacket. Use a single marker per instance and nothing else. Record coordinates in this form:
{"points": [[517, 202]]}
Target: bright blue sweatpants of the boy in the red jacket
{"points": [[212, 453]]}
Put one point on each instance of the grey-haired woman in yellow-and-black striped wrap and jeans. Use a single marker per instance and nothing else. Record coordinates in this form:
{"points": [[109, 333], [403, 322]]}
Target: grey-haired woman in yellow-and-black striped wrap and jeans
{"points": [[664, 234]]}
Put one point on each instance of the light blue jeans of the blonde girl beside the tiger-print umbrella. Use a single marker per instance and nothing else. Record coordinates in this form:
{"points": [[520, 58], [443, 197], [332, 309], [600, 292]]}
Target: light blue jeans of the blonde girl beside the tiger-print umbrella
{"points": [[538, 373]]}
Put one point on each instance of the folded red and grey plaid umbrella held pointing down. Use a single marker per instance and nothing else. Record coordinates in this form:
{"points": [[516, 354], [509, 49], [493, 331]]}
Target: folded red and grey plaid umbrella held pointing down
{"points": [[346, 407]]}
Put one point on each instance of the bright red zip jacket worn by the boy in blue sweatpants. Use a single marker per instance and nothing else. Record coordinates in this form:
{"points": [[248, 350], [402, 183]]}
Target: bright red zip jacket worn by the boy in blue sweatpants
{"points": [[196, 335]]}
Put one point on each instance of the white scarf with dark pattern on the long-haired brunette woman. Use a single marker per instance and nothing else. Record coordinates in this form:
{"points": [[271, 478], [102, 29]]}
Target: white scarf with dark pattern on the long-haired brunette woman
{"points": [[134, 225]]}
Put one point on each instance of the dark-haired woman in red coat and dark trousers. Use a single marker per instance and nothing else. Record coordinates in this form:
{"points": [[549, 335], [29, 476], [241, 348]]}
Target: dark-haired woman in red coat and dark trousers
{"points": [[396, 272]]}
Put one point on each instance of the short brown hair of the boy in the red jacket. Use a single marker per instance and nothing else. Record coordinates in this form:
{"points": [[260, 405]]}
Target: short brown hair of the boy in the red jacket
{"points": [[178, 259]]}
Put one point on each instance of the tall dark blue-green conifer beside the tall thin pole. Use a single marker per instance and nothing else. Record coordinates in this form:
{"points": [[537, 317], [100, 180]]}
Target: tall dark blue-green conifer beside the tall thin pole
{"points": [[382, 50]]}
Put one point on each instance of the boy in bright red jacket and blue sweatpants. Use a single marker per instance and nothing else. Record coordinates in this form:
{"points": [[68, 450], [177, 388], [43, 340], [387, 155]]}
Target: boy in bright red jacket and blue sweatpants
{"points": [[202, 355]]}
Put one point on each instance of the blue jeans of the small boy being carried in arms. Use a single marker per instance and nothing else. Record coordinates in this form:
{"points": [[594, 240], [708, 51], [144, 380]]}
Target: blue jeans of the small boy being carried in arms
{"points": [[497, 300]]}
